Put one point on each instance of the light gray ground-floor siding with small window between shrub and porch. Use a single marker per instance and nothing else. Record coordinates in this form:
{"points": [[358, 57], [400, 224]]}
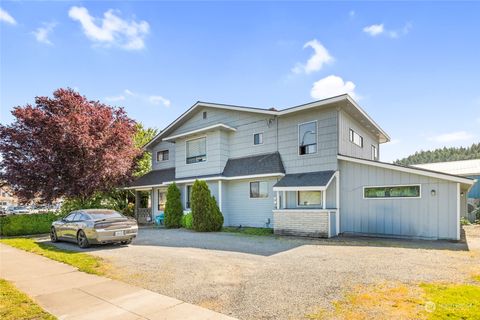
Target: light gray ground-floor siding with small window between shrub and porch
{"points": [[240, 209]]}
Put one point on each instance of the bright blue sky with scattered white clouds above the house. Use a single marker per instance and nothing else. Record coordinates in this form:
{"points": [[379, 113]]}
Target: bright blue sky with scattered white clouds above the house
{"points": [[414, 67]]}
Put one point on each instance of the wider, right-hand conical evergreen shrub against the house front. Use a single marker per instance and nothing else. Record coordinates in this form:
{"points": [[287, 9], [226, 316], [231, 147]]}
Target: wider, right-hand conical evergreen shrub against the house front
{"points": [[205, 212]]}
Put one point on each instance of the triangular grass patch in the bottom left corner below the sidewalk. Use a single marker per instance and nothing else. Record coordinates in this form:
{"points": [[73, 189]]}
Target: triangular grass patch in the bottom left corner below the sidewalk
{"points": [[15, 305]]}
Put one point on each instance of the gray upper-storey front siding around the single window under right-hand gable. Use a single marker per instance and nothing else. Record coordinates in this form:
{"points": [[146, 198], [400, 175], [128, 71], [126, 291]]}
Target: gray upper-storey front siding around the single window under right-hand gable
{"points": [[326, 156]]}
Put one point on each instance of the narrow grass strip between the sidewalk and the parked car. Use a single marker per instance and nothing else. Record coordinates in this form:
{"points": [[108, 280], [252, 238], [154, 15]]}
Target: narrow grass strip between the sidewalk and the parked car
{"points": [[84, 262]]}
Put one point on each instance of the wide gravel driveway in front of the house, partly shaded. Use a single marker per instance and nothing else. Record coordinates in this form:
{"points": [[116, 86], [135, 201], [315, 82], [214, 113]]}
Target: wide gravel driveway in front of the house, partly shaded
{"points": [[264, 277]]}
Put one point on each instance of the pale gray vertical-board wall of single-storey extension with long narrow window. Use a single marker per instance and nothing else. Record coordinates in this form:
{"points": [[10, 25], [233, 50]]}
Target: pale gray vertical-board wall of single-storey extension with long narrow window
{"points": [[433, 217]]}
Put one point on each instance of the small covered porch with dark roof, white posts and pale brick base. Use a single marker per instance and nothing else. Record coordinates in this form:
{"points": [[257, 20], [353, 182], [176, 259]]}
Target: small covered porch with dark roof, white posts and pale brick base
{"points": [[307, 204]]}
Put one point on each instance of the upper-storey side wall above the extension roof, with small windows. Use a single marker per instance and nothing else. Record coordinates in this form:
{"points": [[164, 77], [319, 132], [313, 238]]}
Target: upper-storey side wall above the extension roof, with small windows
{"points": [[345, 123]]}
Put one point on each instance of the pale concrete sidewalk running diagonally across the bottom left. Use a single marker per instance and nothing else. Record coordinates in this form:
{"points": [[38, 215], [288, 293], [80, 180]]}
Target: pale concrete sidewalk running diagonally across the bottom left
{"points": [[68, 293]]}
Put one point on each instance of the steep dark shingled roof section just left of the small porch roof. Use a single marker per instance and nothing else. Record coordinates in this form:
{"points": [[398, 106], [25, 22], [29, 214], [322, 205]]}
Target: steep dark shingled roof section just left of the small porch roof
{"points": [[252, 165]]}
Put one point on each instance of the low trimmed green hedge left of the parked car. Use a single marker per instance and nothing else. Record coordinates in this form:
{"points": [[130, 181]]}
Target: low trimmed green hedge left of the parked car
{"points": [[26, 224]]}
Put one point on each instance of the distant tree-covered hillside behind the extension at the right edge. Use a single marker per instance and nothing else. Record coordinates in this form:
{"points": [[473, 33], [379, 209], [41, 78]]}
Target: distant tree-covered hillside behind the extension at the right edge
{"points": [[443, 154]]}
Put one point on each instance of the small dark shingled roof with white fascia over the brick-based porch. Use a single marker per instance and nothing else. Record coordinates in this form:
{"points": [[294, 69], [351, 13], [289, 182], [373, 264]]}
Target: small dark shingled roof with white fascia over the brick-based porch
{"points": [[318, 180]]}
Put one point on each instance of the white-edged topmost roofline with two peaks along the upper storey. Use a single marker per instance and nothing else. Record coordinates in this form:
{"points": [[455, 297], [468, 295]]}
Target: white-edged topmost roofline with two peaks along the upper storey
{"points": [[350, 105]]}
